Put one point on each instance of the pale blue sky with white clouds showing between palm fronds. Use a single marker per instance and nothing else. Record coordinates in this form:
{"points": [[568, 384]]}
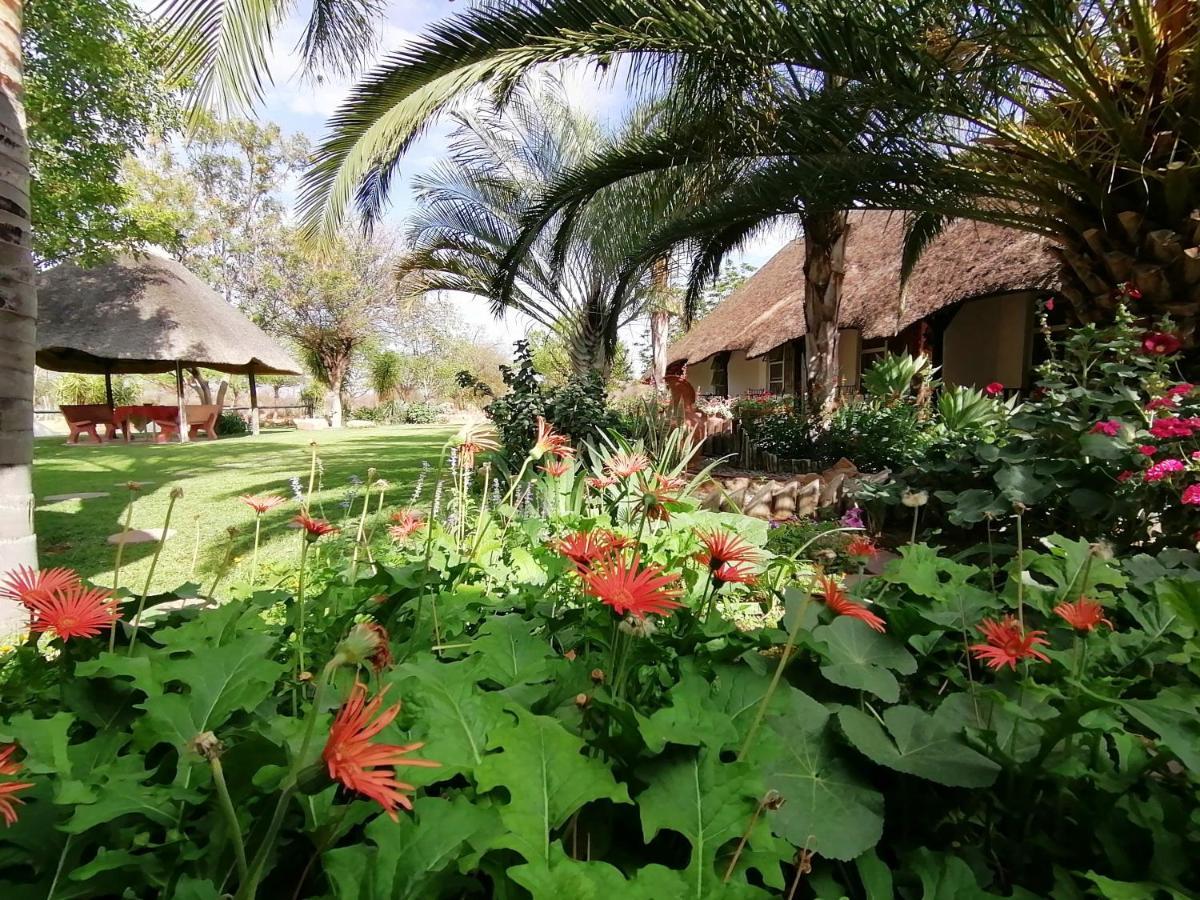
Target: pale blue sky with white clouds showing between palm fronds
{"points": [[298, 105]]}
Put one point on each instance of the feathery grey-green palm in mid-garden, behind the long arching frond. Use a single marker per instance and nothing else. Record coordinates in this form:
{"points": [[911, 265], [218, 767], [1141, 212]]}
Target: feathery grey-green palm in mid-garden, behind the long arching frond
{"points": [[472, 206]]}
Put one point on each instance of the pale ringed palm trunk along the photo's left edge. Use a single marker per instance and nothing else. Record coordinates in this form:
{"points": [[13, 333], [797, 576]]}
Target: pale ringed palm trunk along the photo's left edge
{"points": [[19, 316]]}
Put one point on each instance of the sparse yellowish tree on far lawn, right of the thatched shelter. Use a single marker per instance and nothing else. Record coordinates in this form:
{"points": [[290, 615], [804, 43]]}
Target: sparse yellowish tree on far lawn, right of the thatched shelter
{"points": [[329, 304]]}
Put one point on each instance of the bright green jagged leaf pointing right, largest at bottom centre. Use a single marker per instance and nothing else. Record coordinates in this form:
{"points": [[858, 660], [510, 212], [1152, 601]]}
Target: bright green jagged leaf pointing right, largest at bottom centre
{"points": [[548, 778]]}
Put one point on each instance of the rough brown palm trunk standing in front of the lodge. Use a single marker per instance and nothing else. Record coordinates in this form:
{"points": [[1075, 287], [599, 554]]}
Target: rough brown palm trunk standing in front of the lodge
{"points": [[825, 266]]}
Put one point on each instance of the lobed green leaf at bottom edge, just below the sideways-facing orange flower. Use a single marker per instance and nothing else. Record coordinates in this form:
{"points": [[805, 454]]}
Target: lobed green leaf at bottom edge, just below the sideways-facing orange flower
{"points": [[407, 860]]}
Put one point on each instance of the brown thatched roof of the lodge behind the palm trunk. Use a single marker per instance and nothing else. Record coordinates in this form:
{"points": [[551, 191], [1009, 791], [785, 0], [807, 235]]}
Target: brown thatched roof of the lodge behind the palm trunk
{"points": [[970, 260]]}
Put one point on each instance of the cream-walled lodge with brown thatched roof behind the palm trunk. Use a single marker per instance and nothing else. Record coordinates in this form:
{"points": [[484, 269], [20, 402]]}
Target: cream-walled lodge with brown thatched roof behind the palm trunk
{"points": [[969, 304]]}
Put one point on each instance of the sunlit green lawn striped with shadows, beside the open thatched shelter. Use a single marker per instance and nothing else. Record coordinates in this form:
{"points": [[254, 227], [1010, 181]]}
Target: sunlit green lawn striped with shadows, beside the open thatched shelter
{"points": [[213, 476]]}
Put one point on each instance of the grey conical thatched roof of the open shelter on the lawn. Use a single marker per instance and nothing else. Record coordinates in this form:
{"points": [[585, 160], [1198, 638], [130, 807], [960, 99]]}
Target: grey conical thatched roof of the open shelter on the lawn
{"points": [[143, 315]]}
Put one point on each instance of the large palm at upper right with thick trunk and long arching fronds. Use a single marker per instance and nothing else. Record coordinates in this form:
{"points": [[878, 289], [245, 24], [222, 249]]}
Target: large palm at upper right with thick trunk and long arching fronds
{"points": [[1075, 121]]}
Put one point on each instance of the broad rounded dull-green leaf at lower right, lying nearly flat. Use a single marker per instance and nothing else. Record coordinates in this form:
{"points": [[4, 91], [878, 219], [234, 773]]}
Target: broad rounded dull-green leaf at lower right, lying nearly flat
{"points": [[917, 745]]}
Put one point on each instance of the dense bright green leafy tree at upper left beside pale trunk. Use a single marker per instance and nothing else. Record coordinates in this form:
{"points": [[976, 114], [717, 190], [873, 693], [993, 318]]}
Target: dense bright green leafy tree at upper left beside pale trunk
{"points": [[93, 97]]}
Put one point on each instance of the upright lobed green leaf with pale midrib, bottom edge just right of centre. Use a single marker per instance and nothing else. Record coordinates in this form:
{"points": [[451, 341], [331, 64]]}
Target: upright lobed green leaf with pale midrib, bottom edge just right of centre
{"points": [[707, 802]]}
